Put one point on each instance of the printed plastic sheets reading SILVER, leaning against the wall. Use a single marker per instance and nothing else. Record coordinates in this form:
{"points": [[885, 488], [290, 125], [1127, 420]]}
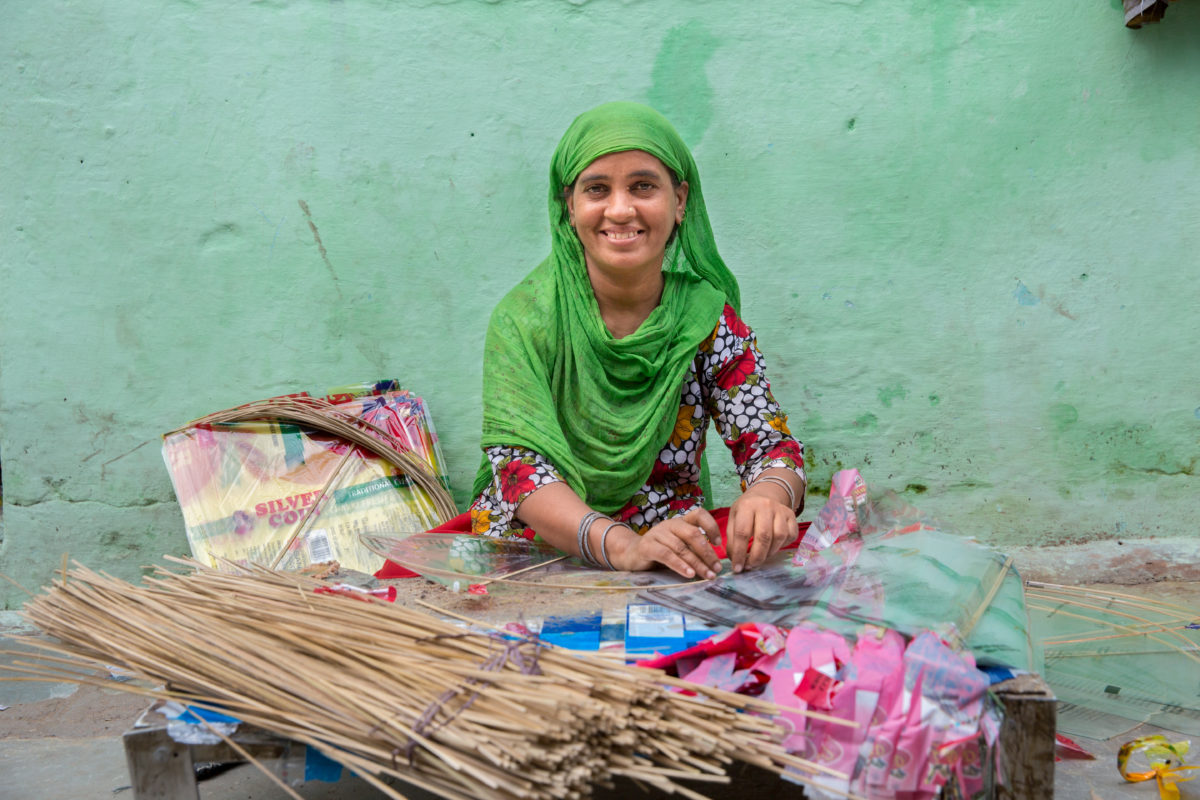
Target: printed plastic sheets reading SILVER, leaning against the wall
{"points": [[247, 489]]}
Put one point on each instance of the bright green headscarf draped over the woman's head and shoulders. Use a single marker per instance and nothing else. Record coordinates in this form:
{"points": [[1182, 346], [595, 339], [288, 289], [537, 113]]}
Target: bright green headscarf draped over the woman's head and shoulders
{"points": [[555, 380]]}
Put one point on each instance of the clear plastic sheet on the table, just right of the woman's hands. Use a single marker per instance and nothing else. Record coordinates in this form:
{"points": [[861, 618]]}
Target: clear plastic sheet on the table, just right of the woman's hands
{"points": [[899, 574]]}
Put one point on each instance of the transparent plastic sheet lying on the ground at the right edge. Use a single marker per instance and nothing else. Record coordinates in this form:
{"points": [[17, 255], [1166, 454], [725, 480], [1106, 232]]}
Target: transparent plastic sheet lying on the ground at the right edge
{"points": [[1115, 660]]}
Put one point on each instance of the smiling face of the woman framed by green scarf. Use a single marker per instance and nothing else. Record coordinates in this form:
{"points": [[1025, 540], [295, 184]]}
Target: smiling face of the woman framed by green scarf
{"points": [[625, 208]]}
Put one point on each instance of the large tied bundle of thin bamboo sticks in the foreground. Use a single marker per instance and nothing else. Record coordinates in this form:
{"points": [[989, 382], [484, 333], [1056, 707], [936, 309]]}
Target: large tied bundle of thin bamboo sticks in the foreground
{"points": [[391, 691]]}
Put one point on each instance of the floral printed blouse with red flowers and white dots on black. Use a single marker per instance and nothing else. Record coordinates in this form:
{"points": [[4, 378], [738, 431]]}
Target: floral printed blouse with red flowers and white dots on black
{"points": [[727, 384]]}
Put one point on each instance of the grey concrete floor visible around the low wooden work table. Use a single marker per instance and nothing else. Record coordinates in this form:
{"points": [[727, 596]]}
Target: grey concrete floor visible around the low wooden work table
{"points": [[61, 742]]}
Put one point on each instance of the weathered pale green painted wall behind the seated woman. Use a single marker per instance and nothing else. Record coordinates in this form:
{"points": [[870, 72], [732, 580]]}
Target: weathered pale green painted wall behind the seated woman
{"points": [[967, 234]]}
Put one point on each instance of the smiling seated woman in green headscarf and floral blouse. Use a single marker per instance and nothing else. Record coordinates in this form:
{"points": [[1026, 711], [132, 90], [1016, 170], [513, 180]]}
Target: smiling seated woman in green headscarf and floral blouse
{"points": [[604, 366]]}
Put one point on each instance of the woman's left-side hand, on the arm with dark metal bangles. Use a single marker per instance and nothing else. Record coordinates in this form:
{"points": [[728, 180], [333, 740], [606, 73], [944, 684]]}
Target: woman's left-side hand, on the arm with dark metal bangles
{"points": [[681, 544]]}
